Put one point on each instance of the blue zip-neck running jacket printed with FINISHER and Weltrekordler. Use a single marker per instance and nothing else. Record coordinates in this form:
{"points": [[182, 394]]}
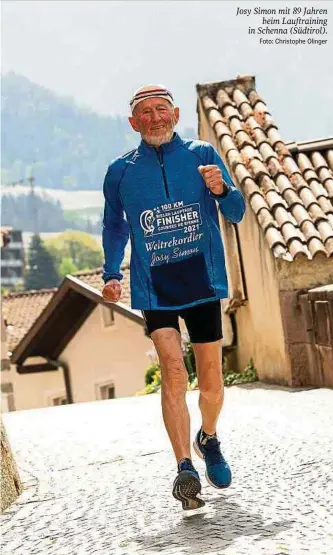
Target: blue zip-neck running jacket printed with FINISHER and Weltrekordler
{"points": [[158, 199]]}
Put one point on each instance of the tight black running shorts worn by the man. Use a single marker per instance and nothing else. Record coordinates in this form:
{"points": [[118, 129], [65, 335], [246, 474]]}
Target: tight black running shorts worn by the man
{"points": [[203, 321]]}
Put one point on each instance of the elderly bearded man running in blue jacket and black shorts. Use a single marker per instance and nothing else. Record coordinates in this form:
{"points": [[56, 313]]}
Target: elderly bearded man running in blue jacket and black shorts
{"points": [[162, 195]]}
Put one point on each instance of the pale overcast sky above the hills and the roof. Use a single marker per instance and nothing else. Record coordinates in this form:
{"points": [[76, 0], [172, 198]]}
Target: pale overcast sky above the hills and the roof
{"points": [[99, 52]]}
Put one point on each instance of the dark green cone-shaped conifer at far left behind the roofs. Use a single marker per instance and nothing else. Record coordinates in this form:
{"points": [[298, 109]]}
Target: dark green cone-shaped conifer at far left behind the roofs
{"points": [[41, 272]]}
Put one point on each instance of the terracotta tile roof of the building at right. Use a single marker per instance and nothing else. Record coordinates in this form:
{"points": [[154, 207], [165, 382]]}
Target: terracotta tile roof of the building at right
{"points": [[289, 185]]}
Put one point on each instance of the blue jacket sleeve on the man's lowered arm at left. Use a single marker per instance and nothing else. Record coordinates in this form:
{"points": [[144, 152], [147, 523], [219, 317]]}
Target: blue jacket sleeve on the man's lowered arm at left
{"points": [[115, 228]]}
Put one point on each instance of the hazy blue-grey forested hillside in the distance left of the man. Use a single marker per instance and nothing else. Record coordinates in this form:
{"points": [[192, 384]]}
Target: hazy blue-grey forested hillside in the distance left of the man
{"points": [[69, 147]]}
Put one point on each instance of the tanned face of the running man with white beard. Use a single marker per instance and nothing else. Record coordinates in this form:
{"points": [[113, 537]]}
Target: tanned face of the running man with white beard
{"points": [[155, 120]]}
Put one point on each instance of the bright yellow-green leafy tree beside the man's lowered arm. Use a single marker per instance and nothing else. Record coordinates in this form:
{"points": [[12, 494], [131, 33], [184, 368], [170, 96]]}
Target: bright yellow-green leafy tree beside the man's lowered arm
{"points": [[77, 246]]}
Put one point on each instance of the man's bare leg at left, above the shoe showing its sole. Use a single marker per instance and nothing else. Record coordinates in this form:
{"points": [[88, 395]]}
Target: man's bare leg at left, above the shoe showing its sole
{"points": [[176, 417]]}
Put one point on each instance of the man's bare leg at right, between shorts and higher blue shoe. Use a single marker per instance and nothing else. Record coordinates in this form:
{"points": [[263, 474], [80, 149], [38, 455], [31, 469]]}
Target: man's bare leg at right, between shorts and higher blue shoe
{"points": [[208, 358]]}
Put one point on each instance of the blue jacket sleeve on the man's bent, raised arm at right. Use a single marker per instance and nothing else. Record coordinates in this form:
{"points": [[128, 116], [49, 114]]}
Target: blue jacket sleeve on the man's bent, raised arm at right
{"points": [[231, 202]]}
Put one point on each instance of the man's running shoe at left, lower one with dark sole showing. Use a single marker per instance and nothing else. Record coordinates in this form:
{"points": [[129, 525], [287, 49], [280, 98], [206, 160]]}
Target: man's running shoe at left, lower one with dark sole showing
{"points": [[187, 486]]}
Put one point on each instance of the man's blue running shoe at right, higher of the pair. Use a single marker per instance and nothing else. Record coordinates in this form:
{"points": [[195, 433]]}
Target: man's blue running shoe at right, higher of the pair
{"points": [[218, 473]]}
